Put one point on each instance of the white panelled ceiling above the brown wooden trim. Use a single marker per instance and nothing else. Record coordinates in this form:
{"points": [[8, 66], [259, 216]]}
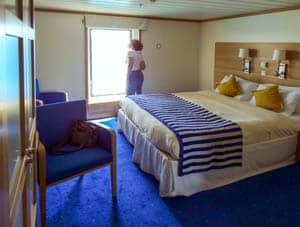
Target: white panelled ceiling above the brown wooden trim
{"points": [[185, 9]]}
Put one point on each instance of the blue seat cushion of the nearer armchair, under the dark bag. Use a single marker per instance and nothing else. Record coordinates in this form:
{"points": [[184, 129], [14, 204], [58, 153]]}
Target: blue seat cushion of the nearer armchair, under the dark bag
{"points": [[60, 166]]}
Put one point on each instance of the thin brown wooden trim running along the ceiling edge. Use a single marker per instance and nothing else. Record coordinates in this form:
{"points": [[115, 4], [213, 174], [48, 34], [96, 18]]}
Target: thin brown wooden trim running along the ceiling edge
{"points": [[262, 12]]}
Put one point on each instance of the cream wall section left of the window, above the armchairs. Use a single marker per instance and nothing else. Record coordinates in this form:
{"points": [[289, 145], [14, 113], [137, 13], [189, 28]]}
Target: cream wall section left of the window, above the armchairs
{"points": [[60, 53]]}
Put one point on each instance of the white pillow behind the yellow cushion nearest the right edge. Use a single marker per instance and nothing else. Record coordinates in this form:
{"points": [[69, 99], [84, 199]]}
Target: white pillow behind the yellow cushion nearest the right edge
{"points": [[290, 98]]}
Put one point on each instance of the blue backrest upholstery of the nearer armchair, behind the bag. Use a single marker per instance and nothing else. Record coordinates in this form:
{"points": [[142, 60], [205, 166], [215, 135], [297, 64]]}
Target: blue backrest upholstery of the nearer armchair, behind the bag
{"points": [[53, 120]]}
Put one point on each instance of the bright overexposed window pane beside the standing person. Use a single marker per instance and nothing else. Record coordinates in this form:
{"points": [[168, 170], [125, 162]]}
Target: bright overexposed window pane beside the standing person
{"points": [[108, 69]]}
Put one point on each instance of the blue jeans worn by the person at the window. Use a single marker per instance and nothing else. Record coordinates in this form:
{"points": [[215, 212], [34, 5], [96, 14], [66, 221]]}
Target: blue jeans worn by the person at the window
{"points": [[135, 83]]}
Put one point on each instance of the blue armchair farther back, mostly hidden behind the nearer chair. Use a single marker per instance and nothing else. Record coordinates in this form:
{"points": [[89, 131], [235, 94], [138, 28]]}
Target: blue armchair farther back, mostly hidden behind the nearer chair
{"points": [[49, 96]]}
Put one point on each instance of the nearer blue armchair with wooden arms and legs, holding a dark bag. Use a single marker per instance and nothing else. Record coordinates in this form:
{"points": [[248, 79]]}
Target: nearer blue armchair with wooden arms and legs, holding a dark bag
{"points": [[53, 121]]}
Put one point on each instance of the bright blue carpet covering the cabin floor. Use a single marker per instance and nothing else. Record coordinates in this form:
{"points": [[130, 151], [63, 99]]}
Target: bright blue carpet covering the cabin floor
{"points": [[271, 199]]}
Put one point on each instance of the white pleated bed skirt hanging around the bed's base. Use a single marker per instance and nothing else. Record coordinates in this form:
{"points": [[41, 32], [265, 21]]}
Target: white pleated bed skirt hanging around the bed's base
{"points": [[257, 158]]}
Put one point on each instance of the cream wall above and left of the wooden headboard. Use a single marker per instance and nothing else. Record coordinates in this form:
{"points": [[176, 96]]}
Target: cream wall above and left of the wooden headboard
{"points": [[276, 27]]}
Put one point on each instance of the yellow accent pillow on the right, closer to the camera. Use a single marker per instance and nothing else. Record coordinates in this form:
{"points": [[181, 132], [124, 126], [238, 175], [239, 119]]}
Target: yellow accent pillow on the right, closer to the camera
{"points": [[269, 98]]}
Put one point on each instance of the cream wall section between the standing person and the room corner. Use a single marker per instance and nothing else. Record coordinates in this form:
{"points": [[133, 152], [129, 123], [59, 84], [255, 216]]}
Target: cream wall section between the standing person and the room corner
{"points": [[173, 67]]}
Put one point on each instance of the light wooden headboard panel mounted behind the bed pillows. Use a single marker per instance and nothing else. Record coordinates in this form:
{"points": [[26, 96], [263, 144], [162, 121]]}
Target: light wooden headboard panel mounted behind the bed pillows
{"points": [[227, 62]]}
